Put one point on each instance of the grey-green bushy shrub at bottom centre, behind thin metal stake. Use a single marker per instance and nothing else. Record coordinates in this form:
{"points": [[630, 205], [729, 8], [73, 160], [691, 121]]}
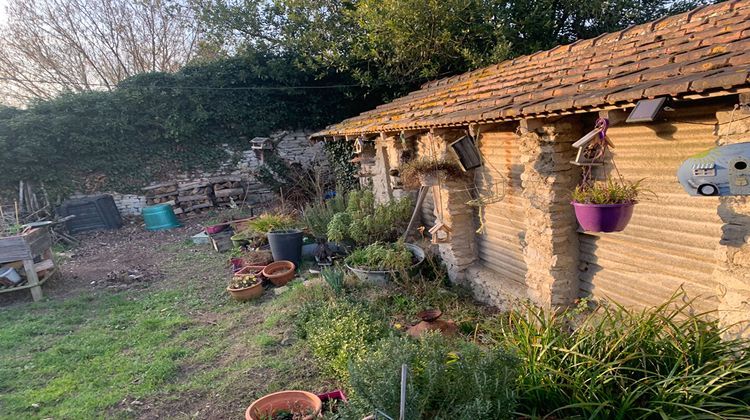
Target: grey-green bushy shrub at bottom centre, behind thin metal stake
{"points": [[446, 379]]}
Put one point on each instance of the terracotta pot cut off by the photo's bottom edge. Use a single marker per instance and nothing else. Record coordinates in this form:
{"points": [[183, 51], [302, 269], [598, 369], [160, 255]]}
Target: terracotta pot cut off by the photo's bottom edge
{"points": [[297, 402]]}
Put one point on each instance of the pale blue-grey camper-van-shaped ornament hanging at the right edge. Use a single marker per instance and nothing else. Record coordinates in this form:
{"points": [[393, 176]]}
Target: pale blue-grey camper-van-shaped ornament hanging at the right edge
{"points": [[723, 171]]}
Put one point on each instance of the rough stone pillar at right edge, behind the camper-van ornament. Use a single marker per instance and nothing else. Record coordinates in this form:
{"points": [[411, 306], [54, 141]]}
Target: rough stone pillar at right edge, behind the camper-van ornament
{"points": [[733, 253]]}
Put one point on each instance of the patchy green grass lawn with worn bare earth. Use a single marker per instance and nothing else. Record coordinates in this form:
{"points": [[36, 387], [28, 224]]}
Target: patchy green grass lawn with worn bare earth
{"points": [[178, 348]]}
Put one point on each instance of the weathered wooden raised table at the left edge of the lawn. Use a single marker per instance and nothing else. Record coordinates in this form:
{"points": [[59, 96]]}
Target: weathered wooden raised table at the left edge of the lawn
{"points": [[25, 248]]}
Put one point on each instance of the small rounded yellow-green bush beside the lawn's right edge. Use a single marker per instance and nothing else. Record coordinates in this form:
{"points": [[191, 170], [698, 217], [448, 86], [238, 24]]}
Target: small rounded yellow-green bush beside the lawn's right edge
{"points": [[338, 332]]}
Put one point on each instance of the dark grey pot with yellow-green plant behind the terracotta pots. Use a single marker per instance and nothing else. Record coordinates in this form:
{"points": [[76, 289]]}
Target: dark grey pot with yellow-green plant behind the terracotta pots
{"points": [[283, 236]]}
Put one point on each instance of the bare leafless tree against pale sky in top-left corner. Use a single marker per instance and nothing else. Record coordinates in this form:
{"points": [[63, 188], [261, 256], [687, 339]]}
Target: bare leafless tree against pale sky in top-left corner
{"points": [[50, 46]]}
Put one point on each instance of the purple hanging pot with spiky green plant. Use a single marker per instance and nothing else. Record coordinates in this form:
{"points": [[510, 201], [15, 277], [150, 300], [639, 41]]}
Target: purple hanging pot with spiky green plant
{"points": [[605, 206]]}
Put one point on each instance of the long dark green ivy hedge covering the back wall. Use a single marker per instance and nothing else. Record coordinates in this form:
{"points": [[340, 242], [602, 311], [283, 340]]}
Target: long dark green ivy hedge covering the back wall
{"points": [[153, 125]]}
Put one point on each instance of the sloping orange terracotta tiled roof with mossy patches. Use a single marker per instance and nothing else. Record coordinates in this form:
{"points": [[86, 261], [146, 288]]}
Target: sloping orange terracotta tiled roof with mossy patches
{"points": [[705, 50]]}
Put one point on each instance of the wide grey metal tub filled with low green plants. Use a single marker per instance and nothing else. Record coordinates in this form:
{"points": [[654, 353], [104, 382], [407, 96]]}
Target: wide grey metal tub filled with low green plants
{"points": [[378, 262]]}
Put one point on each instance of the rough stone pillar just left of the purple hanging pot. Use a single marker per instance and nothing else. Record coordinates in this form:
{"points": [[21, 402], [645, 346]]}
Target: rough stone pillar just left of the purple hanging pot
{"points": [[551, 251]]}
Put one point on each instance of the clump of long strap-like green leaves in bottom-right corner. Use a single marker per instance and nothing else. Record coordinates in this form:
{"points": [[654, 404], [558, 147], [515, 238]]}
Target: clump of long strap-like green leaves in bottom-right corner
{"points": [[665, 362]]}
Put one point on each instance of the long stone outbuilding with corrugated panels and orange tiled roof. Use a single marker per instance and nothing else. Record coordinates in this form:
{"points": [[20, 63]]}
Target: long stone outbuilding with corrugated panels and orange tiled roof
{"points": [[525, 114]]}
